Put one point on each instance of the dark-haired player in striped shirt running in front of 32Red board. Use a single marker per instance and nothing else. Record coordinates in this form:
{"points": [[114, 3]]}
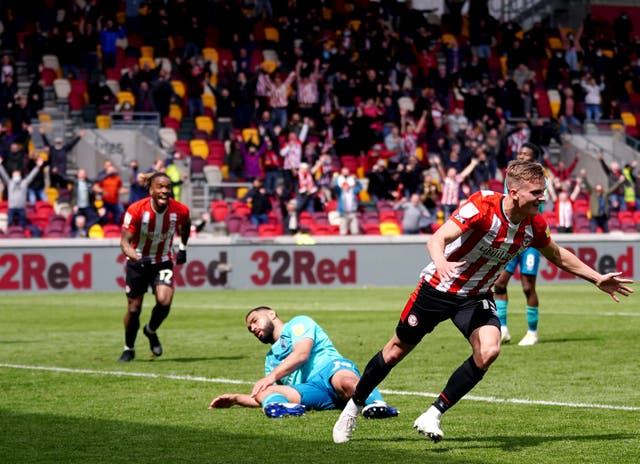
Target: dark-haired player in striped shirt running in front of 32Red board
{"points": [[148, 230]]}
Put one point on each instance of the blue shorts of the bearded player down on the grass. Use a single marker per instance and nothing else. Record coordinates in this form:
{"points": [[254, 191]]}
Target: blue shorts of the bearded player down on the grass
{"points": [[318, 393]]}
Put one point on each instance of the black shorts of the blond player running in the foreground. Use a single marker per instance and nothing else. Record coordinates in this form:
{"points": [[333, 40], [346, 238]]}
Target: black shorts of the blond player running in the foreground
{"points": [[427, 307]]}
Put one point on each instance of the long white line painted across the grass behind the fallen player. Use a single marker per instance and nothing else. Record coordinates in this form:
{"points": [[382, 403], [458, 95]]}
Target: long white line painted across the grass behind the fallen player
{"points": [[486, 399]]}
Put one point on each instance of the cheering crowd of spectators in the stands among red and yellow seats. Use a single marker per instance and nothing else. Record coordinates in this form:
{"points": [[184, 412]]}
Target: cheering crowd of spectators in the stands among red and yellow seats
{"points": [[363, 117]]}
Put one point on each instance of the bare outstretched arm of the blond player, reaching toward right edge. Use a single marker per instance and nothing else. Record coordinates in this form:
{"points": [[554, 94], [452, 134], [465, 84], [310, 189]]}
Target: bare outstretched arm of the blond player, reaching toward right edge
{"points": [[610, 283]]}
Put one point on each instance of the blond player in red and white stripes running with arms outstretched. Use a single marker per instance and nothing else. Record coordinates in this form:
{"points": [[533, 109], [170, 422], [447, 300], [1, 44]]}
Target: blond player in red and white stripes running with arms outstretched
{"points": [[468, 252]]}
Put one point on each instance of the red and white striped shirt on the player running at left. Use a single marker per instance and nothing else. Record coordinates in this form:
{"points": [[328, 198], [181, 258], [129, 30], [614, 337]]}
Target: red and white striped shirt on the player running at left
{"points": [[153, 232]]}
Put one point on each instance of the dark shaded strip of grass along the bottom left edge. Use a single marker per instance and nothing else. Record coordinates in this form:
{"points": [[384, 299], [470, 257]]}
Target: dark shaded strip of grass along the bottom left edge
{"points": [[48, 437]]}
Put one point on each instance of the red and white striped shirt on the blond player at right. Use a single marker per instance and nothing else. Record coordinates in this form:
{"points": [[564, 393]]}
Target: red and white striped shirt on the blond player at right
{"points": [[488, 242]]}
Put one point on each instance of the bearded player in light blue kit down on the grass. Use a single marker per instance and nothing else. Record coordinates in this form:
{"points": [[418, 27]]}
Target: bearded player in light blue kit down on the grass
{"points": [[303, 370]]}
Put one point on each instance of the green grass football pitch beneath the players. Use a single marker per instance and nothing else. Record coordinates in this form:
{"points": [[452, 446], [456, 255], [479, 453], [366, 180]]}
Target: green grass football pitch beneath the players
{"points": [[573, 398]]}
